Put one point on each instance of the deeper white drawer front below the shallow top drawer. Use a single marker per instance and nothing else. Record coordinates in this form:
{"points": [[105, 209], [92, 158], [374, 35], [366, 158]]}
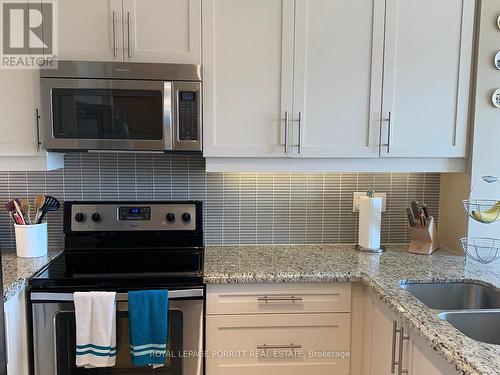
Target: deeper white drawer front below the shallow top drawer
{"points": [[291, 344]]}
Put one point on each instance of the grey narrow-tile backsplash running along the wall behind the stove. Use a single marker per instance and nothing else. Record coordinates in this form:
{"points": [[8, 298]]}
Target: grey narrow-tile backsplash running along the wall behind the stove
{"points": [[240, 208]]}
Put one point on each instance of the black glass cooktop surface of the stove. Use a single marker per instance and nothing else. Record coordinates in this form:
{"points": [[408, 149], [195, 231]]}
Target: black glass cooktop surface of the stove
{"points": [[121, 270]]}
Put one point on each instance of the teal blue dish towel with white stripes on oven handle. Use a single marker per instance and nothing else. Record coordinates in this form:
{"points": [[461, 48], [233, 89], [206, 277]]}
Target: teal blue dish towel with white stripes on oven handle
{"points": [[148, 324]]}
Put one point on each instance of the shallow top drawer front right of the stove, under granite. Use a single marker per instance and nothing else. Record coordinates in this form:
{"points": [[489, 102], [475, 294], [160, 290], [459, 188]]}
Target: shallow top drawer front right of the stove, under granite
{"points": [[278, 298]]}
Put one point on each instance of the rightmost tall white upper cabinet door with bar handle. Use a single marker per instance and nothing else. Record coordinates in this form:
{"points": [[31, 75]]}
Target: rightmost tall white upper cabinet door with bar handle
{"points": [[426, 78]]}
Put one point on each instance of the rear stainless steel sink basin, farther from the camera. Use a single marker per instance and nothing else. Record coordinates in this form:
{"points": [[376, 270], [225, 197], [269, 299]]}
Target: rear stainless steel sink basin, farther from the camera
{"points": [[455, 296]]}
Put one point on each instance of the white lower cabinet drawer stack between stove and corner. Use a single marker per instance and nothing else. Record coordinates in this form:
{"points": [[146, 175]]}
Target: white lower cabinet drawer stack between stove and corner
{"points": [[274, 329]]}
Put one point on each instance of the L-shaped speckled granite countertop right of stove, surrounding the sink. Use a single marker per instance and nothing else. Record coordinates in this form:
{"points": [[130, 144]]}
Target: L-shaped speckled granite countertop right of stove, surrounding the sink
{"points": [[381, 273]]}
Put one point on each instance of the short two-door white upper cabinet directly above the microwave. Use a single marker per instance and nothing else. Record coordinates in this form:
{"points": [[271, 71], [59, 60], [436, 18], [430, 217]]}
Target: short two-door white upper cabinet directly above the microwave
{"points": [[161, 31]]}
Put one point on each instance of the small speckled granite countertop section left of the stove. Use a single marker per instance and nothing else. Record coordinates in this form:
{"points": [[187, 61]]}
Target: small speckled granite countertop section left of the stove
{"points": [[17, 271]]}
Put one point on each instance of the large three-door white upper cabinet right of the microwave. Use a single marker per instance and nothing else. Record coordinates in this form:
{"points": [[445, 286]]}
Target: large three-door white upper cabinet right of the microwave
{"points": [[342, 68]]}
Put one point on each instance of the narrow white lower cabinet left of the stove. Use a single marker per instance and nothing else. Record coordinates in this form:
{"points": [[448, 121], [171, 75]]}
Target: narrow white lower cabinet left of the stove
{"points": [[16, 336]]}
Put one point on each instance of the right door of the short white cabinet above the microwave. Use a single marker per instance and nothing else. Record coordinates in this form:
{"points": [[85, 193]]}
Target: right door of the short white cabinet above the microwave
{"points": [[162, 31]]}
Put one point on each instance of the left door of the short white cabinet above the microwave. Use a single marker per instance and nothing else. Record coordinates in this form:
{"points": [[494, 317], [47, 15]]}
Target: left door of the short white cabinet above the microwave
{"points": [[90, 30]]}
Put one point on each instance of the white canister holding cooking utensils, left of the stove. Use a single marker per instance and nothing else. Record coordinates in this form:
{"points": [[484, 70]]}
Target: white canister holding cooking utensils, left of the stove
{"points": [[31, 240]]}
